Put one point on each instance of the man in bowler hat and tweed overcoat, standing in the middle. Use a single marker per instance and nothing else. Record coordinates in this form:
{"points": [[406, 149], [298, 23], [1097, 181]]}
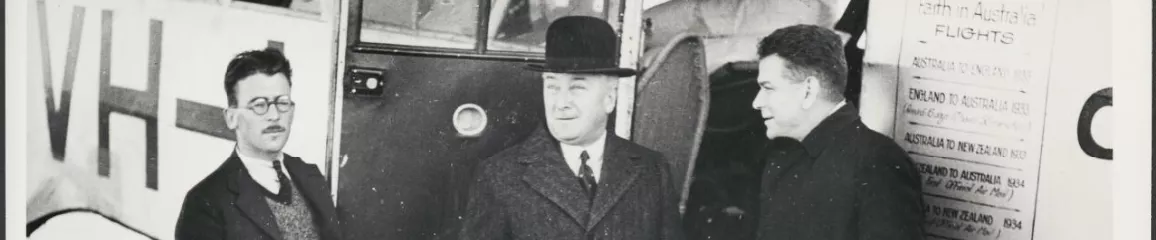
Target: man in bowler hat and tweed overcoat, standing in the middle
{"points": [[574, 179]]}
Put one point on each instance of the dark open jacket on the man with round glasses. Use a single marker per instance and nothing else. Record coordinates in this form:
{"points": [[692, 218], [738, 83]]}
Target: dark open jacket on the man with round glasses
{"points": [[231, 205]]}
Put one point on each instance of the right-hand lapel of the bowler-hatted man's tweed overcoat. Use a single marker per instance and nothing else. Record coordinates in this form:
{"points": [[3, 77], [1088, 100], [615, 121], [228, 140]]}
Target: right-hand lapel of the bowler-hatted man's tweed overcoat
{"points": [[620, 170]]}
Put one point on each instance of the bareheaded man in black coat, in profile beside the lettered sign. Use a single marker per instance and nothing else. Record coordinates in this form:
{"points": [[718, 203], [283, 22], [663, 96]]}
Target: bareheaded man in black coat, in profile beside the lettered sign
{"points": [[828, 176]]}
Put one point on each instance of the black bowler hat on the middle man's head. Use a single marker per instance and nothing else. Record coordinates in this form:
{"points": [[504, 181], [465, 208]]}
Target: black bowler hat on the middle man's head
{"points": [[582, 46]]}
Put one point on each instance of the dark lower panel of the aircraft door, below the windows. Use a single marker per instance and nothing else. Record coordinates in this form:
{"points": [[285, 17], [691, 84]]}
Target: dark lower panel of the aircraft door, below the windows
{"points": [[409, 169]]}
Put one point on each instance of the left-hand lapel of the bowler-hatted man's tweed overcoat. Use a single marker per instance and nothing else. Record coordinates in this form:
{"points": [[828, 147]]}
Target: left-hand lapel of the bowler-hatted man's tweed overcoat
{"points": [[547, 174]]}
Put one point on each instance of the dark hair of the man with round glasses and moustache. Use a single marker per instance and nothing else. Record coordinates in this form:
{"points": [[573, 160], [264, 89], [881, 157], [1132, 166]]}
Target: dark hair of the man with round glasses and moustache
{"points": [[269, 62]]}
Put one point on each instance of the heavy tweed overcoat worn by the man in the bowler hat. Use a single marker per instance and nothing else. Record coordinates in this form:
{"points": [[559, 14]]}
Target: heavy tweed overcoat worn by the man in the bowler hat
{"points": [[528, 192]]}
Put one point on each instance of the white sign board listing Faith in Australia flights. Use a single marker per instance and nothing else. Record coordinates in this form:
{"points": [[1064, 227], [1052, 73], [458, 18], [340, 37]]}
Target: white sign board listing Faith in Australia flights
{"points": [[970, 110]]}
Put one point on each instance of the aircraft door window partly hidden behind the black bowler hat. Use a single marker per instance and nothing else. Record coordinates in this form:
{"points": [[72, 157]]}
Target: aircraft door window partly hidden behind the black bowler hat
{"points": [[520, 26]]}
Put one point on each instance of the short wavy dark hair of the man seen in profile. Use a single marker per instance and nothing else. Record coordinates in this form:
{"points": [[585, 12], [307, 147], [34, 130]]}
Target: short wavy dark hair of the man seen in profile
{"points": [[810, 50]]}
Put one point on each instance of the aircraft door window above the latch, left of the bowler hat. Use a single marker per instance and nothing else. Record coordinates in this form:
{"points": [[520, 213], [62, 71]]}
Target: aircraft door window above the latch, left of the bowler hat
{"points": [[431, 24]]}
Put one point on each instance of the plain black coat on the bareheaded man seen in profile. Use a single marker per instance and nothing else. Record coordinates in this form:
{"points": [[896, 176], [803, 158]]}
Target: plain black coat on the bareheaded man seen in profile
{"points": [[843, 182]]}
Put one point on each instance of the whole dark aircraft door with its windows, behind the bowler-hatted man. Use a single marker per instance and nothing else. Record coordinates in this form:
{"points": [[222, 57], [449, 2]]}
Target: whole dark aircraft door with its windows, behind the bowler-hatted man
{"points": [[431, 88]]}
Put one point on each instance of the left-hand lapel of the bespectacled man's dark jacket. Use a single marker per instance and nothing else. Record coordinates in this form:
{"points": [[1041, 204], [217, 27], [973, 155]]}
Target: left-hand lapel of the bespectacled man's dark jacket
{"points": [[250, 200]]}
